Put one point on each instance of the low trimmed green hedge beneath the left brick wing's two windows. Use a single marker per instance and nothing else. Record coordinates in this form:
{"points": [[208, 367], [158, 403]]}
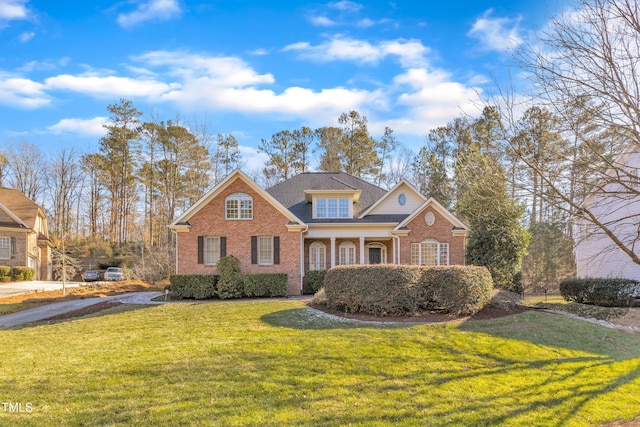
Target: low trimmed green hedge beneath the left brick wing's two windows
{"points": [[206, 286]]}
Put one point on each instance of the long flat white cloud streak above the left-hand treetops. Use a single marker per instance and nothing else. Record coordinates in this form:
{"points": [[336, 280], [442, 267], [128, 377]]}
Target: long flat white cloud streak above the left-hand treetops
{"points": [[109, 86]]}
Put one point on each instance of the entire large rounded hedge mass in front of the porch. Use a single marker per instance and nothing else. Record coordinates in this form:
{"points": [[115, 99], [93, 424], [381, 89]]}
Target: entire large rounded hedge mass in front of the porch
{"points": [[396, 290]]}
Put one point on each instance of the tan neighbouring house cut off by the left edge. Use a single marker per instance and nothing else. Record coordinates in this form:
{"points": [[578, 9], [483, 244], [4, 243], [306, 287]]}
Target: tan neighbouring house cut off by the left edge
{"points": [[24, 239]]}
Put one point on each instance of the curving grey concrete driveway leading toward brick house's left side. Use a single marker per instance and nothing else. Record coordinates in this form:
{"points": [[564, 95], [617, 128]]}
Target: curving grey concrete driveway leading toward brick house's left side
{"points": [[43, 312]]}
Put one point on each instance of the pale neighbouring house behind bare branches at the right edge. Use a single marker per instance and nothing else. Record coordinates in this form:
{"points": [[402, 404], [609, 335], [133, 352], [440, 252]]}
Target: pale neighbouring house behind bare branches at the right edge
{"points": [[616, 204]]}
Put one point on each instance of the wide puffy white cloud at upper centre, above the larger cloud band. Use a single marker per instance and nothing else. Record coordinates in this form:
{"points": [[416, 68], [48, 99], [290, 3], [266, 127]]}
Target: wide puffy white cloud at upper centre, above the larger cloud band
{"points": [[339, 48]]}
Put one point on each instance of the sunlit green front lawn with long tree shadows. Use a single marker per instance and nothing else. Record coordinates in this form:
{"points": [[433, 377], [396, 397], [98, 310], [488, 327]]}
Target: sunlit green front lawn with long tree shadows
{"points": [[264, 363]]}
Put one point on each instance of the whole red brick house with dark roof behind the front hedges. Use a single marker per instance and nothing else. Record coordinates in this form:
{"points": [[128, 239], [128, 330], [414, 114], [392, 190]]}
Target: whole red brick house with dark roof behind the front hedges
{"points": [[314, 221]]}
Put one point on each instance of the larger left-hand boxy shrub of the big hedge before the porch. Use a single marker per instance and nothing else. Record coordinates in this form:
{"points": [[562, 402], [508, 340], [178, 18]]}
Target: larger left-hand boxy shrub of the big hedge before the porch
{"points": [[381, 290]]}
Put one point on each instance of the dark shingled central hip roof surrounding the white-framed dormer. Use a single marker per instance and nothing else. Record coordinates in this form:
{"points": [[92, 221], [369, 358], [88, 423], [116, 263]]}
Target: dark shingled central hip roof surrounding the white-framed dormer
{"points": [[291, 194]]}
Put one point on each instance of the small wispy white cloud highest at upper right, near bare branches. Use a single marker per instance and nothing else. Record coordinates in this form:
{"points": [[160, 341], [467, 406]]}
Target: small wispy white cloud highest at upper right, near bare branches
{"points": [[498, 34]]}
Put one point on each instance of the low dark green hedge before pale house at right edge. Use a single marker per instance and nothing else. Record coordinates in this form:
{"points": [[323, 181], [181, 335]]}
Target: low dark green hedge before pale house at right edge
{"points": [[602, 292]]}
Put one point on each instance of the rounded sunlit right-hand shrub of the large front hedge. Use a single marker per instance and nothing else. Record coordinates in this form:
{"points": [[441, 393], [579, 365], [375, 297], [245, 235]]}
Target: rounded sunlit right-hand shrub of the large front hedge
{"points": [[454, 289]]}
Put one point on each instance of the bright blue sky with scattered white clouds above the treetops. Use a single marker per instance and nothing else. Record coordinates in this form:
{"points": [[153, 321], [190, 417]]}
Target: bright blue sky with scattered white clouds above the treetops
{"points": [[251, 68]]}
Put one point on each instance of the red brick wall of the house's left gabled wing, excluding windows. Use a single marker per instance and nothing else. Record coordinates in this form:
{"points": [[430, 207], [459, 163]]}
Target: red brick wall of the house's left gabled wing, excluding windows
{"points": [[209, 221]]}
